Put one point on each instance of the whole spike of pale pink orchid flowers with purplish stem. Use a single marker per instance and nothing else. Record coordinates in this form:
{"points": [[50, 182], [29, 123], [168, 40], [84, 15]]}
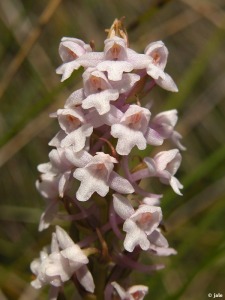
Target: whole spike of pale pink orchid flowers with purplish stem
{"points": [[102, 126]]}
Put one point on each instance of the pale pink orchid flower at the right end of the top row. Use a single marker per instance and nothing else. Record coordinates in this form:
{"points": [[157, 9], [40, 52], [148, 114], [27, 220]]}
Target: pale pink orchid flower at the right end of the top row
{"points": [[159, 53]]}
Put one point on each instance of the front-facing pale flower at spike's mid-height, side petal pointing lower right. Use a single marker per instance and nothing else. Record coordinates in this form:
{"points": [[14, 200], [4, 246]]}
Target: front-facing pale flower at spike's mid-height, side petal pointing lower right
{"points": [[98, 176]]}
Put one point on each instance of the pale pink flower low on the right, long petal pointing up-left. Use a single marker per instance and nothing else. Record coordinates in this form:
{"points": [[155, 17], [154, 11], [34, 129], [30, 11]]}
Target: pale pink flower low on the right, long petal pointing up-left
{"points": [[138, 224]]}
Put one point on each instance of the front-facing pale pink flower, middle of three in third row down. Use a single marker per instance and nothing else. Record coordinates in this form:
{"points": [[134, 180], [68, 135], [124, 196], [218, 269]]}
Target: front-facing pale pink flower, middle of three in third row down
{"points": [[131, 129]]}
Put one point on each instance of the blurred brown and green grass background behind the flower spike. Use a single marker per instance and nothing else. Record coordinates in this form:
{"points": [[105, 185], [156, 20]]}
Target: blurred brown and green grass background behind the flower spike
{"points": [[194, 32]]}
